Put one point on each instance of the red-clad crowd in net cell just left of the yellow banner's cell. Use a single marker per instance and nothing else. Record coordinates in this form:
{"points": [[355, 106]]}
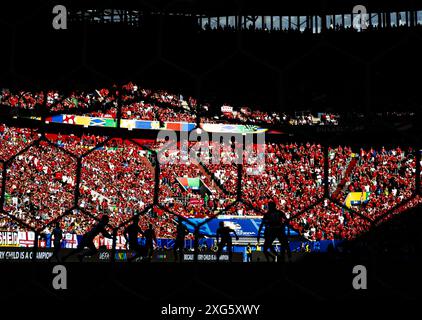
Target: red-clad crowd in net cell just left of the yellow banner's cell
{"points": [[291, 175]]}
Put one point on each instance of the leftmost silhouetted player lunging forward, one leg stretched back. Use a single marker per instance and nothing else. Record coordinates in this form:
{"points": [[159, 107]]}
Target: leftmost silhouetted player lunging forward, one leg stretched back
{"points": [[88, 239]]}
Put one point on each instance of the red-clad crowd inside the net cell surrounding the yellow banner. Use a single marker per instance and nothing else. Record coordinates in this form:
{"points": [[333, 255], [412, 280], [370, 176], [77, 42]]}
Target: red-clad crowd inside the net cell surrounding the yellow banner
{"points": [[386, 174]]}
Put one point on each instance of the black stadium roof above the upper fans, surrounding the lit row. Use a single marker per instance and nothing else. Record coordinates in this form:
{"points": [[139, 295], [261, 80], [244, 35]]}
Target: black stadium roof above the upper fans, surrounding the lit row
{"points": [[100, 55]]}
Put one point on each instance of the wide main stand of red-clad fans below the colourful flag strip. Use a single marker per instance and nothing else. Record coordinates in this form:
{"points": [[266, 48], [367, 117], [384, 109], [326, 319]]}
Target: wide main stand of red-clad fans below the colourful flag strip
{"points": [[75, 179]]}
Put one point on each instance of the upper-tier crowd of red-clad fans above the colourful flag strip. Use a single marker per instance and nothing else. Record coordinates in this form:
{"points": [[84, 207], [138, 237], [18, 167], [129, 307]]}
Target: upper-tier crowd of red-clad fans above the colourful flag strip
{"points": [[154, 105]]}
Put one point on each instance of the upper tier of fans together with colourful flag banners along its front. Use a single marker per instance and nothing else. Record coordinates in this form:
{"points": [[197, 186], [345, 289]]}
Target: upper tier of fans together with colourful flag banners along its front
{"points": [[134, 107]]}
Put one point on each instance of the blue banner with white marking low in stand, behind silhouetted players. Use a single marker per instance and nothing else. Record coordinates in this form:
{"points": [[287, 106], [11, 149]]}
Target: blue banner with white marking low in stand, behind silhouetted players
{"points": [[244, 227]]}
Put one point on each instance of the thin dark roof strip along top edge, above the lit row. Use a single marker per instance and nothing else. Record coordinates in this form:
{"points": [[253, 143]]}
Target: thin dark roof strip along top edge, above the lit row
{"points": [[218, 7]]}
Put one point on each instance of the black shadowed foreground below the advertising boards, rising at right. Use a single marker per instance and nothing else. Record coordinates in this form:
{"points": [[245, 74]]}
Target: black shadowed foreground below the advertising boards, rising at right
{"points": [[390, 253]]}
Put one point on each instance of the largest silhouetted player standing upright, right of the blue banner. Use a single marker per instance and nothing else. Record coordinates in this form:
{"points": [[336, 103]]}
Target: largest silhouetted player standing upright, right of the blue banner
{"points": [[274, 222]]}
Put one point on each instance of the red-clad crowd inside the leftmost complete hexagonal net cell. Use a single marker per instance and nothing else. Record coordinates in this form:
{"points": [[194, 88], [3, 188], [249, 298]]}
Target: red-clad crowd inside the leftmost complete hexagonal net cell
{"points": [[40, 185]]}
